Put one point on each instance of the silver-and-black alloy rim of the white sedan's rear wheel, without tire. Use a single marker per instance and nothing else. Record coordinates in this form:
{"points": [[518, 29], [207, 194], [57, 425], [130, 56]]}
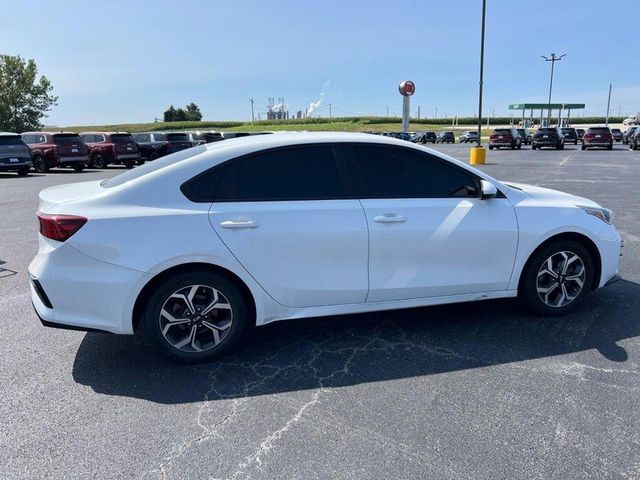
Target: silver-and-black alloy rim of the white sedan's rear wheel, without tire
{"points": [[195, 318]]}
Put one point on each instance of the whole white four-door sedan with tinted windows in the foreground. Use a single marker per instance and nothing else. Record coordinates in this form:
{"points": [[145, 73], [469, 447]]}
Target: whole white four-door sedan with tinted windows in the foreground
{"points": [[193, 248]]}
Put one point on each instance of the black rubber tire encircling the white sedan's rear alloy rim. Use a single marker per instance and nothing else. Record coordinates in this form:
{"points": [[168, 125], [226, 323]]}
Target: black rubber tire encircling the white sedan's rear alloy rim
{"points": [[151, 320]]}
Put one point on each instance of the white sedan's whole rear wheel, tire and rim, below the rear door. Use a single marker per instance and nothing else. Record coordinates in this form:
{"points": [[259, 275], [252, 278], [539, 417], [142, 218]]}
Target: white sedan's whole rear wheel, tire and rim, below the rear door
{"points": [[194, 317]]}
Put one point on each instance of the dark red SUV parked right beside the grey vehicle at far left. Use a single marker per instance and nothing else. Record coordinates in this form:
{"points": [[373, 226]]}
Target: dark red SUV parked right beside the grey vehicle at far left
{"points": [[56, 149]]}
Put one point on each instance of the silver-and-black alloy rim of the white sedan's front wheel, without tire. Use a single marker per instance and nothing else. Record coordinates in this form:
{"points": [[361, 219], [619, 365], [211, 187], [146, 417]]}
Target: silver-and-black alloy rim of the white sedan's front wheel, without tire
{"points": [[560, 279]]}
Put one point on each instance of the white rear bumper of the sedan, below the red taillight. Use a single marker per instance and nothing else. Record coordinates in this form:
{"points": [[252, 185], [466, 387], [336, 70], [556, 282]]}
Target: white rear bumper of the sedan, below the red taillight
{"points": [[81, 293]]}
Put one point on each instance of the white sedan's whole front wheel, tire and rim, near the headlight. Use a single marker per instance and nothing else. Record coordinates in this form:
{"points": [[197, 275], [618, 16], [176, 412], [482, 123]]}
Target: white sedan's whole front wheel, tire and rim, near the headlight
{"points": [[557, 278]]}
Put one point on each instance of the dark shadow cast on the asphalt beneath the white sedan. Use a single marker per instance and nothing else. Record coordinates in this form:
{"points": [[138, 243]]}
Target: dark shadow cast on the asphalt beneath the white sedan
{"points": [[350, 350]]}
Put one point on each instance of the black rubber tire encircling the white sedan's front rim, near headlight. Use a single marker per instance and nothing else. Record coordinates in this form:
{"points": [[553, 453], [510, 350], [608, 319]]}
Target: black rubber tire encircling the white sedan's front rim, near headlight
{"points": [[528, 291]]}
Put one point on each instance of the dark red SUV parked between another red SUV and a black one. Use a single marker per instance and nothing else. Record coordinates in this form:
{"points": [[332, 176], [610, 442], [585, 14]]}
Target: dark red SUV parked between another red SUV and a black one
{"points": [[106, 148]]}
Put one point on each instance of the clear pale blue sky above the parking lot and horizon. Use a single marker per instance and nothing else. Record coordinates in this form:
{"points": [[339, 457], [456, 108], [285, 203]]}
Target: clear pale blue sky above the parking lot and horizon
{"points": [[126, 62]]}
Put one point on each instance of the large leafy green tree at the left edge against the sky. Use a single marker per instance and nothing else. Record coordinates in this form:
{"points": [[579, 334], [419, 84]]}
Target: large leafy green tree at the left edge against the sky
{"points": [[24, 98]]}
